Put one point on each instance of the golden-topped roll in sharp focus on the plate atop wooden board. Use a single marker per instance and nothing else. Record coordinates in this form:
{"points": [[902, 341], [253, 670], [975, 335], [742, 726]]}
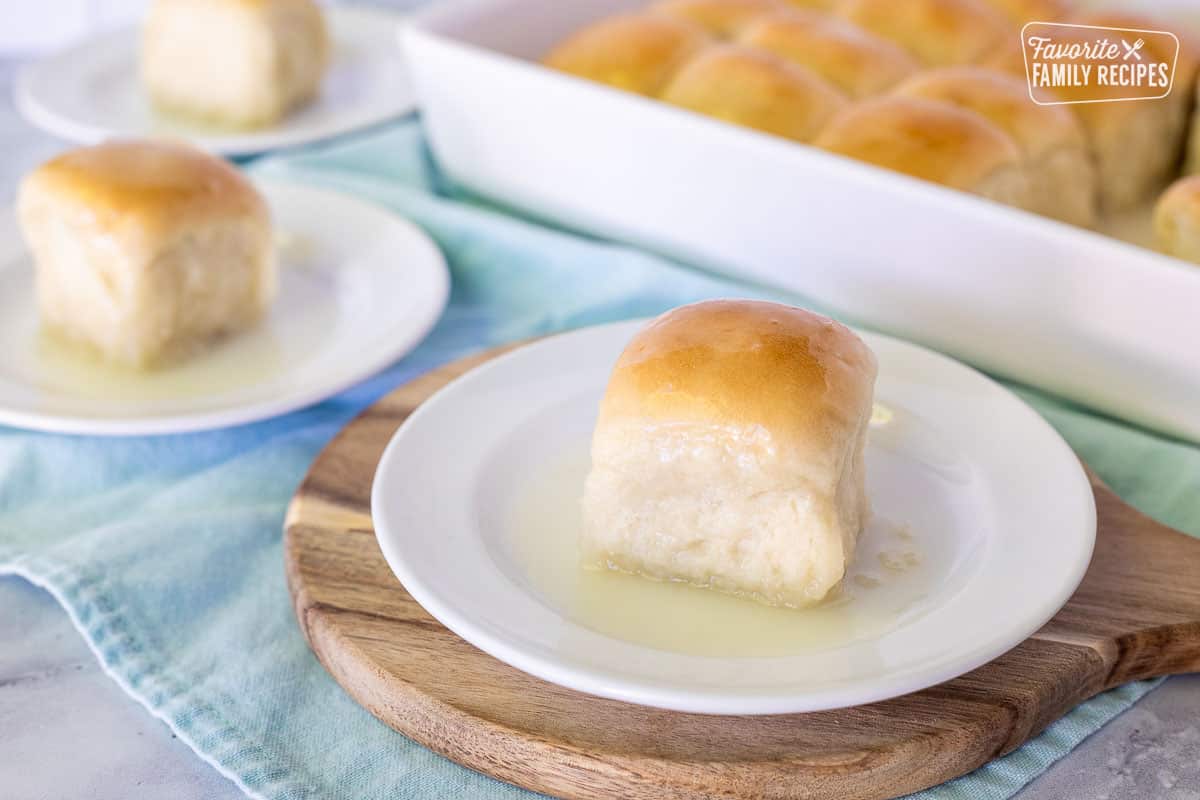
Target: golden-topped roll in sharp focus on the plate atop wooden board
{"points": [[729, 453]]}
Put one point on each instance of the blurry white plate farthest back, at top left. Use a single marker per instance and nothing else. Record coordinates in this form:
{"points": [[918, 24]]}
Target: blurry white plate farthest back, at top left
{"points": [[93, 92]]}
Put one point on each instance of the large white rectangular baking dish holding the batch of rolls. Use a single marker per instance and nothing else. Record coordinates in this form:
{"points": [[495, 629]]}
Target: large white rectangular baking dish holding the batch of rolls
{"points": [[1095, 320]]}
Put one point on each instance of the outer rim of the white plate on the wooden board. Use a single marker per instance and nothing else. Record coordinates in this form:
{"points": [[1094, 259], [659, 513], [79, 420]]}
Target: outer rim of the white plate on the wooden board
{"points": [[604, 683]]}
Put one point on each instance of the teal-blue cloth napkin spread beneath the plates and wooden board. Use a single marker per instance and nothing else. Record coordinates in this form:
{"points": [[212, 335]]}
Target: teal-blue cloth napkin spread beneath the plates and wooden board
{"points": [[166, 551]]}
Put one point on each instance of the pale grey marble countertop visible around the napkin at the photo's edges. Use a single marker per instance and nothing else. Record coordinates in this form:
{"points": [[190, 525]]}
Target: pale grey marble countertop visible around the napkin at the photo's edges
{"points": [[67, 731]]}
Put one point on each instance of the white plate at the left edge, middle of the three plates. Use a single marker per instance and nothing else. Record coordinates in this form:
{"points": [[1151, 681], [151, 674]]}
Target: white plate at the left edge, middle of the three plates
{"points": [[359, 288]]}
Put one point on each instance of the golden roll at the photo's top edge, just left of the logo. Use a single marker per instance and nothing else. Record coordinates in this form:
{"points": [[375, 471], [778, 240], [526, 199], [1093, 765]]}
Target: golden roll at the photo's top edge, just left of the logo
{"points": [[939, 33]]}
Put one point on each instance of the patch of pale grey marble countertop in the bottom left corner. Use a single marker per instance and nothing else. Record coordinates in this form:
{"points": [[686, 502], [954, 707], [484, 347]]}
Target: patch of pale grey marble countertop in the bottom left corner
{"points": [[68, 731]]}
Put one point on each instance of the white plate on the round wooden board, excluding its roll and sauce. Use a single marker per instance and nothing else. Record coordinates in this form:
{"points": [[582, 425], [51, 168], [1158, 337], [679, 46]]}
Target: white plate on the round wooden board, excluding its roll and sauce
{"points": [[991, 492]]}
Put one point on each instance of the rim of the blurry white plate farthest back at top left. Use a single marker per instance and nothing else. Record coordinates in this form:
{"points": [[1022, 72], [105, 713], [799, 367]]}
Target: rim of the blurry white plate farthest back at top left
{"points": [[236, 145]]}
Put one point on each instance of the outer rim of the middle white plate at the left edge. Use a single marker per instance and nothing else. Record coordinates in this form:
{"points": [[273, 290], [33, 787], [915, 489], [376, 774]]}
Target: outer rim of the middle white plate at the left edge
{"points": [[439, 275]]}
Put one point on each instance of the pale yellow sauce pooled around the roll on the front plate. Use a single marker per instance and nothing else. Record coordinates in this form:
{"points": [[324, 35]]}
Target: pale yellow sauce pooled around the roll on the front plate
{"points": [[889, 578]]}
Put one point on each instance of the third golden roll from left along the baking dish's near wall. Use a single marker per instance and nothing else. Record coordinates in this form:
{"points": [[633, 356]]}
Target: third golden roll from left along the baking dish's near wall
{"points": [[935, 142]]}
